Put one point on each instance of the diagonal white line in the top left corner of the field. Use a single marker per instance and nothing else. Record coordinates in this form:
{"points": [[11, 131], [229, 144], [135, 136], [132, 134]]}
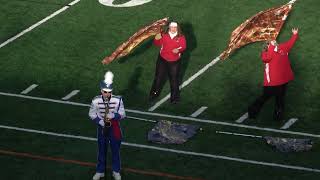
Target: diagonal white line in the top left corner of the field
{"points": [[38, 23]]}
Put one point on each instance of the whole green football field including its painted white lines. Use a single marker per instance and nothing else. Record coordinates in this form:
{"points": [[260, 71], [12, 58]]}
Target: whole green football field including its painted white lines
{"points": [[50, 69]]}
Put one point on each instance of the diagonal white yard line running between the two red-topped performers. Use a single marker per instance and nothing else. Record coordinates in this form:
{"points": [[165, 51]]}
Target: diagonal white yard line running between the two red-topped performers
{"points": [[185, 83]]}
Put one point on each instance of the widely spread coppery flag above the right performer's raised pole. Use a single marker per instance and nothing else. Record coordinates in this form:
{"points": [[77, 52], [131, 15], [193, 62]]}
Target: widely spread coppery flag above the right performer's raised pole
{"points": [[263, 26]]}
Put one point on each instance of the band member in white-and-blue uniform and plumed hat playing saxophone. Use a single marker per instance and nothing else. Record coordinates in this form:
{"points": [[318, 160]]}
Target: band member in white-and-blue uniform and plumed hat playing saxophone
{"points": [[106, 111]]}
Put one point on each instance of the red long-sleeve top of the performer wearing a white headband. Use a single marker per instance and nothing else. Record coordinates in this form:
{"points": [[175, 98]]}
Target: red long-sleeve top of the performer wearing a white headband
{"points": [[167, 45]]}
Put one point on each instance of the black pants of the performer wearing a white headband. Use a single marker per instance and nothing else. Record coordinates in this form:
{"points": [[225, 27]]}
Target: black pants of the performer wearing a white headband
{"points": [[163, 69]]}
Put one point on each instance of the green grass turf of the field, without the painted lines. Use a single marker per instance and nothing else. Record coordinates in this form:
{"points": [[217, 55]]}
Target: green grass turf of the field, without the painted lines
{"points": [[65, 53]]}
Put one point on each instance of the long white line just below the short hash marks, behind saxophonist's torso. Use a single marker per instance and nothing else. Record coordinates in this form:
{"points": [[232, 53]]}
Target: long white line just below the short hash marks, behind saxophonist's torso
{"points": [[169, 116]]}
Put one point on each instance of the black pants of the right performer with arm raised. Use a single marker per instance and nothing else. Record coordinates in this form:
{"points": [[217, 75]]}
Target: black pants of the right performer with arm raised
{"points": [[269, 91]]}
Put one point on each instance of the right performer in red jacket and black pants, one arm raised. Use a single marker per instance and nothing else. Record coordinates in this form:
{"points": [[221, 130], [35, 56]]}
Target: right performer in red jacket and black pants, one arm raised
{"points": [[277, 74]]}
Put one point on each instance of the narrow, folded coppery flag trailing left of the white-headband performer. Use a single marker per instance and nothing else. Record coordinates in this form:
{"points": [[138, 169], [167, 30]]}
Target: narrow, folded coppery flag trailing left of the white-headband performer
{"points": [[144, 33]]}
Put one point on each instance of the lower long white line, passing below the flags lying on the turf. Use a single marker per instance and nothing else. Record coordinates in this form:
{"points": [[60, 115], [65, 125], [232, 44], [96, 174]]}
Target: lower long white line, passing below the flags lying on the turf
{"points": [[190, 153]]}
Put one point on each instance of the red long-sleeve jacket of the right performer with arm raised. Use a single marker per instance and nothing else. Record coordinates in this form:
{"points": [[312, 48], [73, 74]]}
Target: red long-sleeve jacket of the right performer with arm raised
{"points": [[277, 65]]}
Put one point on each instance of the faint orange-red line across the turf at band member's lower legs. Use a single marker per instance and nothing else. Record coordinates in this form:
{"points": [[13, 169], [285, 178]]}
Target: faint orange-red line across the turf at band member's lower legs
{"points": [[91, 164]]}
